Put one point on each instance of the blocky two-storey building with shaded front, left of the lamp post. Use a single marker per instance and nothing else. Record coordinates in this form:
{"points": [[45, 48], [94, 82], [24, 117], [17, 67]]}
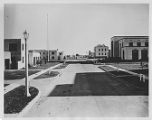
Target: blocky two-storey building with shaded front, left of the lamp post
{"points": [[14, 51]]}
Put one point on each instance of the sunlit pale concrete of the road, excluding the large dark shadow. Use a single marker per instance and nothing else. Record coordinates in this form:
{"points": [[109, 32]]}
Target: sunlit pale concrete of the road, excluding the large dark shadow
{"points": [[84, 106]]}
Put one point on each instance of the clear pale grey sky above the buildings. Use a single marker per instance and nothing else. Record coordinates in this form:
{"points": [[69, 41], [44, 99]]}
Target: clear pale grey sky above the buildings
{"points": [[74, 28]]}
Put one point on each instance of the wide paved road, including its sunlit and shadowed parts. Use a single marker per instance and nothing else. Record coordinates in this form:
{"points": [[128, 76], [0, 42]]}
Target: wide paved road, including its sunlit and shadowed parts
{"points": [[83, 90]]}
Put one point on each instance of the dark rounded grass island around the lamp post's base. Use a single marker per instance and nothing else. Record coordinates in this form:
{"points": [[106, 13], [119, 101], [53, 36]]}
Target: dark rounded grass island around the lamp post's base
{"points": [[16, 100]]}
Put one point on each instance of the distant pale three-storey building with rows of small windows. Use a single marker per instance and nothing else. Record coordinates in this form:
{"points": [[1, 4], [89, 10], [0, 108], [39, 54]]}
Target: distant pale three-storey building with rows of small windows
{"points": [[101, 51]]}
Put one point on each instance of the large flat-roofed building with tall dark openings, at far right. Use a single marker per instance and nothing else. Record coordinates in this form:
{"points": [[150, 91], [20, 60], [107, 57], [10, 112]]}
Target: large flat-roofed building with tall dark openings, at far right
{"points": [[129, 47]]}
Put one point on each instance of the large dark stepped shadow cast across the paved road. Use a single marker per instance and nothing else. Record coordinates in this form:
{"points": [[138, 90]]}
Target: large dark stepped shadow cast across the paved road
{"points": [[101, 84]]}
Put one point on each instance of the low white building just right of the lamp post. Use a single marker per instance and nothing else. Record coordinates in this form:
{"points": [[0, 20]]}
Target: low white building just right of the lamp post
{"points": [[34, 57]]}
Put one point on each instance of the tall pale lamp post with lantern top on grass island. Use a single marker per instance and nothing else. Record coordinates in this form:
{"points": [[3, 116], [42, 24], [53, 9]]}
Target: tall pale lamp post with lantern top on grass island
{"points": [[26, 35]]}
